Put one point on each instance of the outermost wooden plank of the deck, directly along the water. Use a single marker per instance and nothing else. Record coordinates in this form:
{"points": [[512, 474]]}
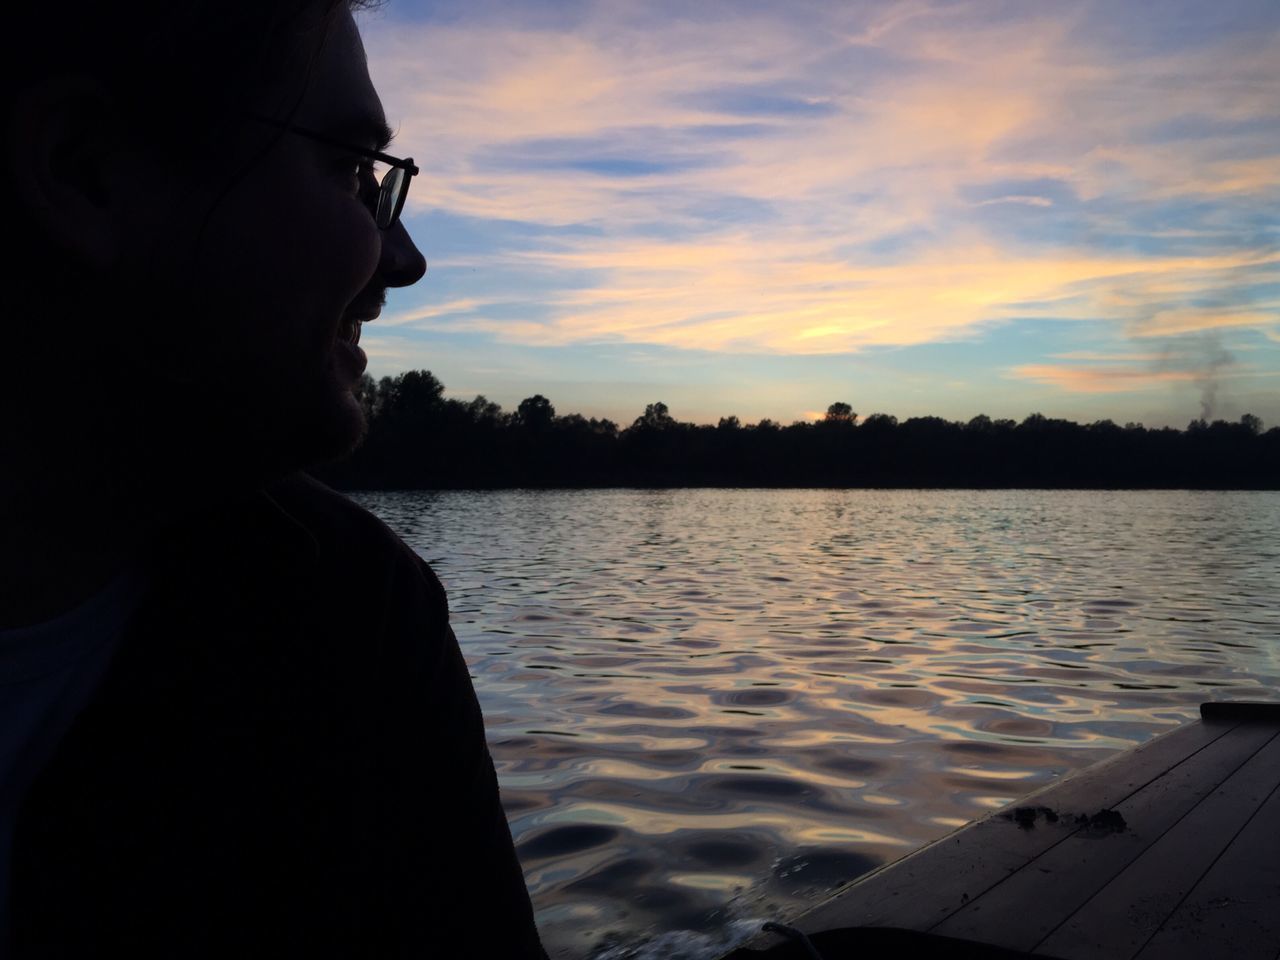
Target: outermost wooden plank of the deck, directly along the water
{"points": [[927, 886]]}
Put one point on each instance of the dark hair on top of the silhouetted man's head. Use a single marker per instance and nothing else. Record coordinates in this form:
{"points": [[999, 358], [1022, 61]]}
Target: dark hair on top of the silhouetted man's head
{"points": [[180, 72]]}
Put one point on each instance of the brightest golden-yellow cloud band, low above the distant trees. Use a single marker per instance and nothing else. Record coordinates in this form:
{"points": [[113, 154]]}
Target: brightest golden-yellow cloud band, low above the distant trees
{"points": [[794, 295]]}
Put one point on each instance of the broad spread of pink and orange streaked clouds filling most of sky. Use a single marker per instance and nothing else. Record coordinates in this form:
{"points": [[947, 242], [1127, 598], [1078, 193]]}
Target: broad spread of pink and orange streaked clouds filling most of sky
{"points": [[866, 125]]}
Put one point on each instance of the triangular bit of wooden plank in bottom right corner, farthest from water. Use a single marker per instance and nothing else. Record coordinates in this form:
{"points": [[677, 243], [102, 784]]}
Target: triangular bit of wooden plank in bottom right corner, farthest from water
{"points": [[1235, 912]]}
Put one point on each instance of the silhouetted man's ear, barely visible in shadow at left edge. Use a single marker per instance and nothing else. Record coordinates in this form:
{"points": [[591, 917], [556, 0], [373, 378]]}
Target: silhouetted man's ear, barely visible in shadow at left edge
{"points": [[63, 168]]}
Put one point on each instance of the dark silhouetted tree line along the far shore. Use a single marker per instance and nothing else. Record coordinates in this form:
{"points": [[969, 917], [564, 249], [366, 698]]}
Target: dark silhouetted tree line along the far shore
{"points": [[420, 440]]}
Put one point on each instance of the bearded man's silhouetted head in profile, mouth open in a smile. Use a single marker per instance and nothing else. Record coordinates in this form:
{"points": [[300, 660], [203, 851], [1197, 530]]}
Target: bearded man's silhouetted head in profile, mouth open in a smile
{"points": [[191, 263]]}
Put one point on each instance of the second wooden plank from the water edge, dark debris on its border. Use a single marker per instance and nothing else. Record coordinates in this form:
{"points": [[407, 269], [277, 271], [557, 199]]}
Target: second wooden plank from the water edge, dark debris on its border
{"points": [[1021, 911]]}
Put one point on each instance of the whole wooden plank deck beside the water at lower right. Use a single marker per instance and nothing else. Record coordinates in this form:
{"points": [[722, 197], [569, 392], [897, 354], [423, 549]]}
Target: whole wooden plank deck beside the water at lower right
{"points": [[1168, 851]]}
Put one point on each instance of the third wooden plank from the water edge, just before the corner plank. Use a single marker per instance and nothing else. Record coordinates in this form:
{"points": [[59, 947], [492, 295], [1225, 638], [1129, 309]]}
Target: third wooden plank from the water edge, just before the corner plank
{"points": [[1128, 912]]}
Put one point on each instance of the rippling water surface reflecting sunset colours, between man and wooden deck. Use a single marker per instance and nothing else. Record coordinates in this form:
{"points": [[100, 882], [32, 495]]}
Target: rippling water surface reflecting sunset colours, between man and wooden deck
{"points": [[712, 707]]}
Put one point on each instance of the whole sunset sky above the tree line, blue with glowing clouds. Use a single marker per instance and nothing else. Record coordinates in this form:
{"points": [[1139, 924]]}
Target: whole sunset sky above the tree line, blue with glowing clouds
{"points": [[918, 208]]}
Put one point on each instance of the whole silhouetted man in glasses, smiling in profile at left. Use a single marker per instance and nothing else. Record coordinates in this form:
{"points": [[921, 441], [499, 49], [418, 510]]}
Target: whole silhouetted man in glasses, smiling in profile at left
{"points": [[234, 717]]}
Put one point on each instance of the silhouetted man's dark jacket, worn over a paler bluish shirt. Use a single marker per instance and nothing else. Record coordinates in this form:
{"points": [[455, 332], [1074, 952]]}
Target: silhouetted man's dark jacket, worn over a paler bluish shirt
{"points": [[286, 758]]}
